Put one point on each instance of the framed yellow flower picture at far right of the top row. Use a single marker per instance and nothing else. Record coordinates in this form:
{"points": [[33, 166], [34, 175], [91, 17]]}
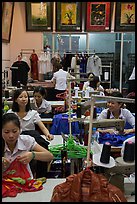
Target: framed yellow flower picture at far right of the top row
{"points": [[125, 16]]}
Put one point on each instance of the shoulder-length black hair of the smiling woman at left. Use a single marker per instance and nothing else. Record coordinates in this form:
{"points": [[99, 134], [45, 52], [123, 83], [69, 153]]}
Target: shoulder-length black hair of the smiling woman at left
{"points": [[15, 106]]}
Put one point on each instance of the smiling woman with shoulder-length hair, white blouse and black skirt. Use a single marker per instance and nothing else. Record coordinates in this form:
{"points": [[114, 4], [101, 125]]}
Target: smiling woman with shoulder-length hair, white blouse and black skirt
{"points": [[28, 119]]}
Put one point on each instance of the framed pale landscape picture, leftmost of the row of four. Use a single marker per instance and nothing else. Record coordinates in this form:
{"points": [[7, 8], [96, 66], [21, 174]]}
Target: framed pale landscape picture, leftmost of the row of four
{"points": [[39, 16]]}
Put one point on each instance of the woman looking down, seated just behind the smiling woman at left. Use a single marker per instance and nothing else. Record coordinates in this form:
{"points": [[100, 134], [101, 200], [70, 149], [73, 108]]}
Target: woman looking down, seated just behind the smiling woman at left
{"points": [[40, 103]]}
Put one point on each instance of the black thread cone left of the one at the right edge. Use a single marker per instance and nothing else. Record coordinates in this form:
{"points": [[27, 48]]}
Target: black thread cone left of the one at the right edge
{"points": [[105, 155]]}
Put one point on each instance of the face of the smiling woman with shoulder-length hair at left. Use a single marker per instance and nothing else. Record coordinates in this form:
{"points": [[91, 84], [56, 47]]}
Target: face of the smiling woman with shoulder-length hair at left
{"points": [[22, 99]]}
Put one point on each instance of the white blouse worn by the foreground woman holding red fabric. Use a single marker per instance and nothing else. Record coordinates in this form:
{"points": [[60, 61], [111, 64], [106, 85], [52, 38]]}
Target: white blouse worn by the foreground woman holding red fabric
{"points": [[25, 143]]}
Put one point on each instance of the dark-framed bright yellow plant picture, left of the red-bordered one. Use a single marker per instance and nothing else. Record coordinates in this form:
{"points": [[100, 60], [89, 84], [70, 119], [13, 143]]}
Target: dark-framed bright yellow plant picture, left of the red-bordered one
{"points": [[68, 16]]}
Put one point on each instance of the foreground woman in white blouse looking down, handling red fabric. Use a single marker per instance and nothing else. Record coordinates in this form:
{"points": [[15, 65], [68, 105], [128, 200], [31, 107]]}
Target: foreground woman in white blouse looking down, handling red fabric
{"points": [[22, 147]]}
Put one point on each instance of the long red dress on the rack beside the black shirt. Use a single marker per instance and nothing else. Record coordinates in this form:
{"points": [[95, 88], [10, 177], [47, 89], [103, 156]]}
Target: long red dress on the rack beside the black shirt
{"points": [[34, 65]]}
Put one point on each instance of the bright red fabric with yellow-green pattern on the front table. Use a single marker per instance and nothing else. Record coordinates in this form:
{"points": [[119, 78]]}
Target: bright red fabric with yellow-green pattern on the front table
{"points": [[16, 179]]}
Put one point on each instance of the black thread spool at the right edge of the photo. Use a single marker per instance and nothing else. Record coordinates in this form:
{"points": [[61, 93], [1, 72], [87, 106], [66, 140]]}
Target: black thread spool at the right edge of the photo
{"points": [[129, 152]]}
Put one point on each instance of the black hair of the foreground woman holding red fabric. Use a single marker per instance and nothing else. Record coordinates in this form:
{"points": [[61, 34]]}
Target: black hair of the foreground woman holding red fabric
{"points": [[9, 117]]}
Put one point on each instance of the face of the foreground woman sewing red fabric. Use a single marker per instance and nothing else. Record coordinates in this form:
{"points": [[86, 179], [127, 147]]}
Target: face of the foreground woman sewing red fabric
{"points": [[10, 133]]}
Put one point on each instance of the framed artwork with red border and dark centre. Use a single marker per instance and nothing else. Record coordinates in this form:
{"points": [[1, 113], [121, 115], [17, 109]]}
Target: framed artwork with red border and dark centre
{"points": [[98, 16]]}
